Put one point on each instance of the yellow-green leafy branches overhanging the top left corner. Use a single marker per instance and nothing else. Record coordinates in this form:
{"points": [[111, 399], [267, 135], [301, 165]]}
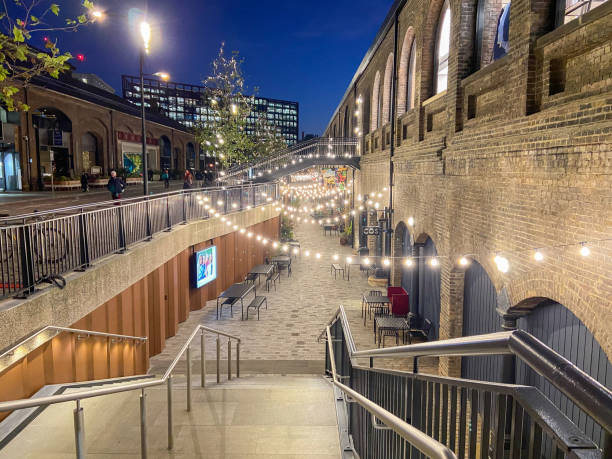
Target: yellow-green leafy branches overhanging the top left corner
{"points": [[20, 21]]}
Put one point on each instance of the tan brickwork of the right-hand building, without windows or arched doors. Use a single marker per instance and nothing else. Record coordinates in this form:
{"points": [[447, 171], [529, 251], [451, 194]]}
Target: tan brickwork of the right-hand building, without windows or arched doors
{"points": [[512, 157]]}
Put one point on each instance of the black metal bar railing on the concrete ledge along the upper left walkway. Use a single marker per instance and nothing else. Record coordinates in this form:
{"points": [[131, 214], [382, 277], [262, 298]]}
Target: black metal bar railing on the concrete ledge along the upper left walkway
{"points": [[42, 246]]}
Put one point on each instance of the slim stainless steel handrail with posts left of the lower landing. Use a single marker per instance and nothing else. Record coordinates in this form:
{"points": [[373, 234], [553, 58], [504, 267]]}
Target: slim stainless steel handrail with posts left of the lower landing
{"points": [[12, 405]]}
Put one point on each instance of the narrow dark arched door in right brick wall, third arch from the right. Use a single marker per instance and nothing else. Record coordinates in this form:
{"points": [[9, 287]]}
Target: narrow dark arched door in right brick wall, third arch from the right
{"points": [[429, 285]]}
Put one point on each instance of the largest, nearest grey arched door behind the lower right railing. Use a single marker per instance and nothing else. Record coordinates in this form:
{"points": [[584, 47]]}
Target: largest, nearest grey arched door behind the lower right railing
{"points": [[560, 329]]}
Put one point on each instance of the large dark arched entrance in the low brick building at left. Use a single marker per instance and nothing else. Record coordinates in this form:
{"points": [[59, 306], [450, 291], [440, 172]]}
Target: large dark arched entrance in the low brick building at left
{"points": [[53, 138]]}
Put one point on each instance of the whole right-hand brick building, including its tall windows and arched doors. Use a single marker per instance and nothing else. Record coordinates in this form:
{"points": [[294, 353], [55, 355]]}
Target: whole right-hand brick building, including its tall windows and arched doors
{"points": [[491, 123]]}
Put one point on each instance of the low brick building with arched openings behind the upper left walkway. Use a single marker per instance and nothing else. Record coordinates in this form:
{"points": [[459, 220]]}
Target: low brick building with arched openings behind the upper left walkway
{"points": [[73, 127]]}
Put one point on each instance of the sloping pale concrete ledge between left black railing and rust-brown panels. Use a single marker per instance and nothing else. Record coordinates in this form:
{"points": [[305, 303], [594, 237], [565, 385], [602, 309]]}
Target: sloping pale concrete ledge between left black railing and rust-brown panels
{"points": [[87, 290]]}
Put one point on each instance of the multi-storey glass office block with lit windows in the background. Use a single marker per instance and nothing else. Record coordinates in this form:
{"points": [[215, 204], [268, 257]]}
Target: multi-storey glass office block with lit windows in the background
{"points": [[188, 104]]}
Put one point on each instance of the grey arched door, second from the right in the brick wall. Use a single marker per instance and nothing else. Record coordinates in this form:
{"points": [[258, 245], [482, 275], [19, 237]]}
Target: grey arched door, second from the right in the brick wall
{"points": [[480, 317]]}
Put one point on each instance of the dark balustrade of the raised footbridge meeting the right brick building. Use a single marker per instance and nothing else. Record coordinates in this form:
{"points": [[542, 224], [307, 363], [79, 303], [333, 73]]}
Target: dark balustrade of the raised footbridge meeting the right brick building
{"points": [[319, 148]]}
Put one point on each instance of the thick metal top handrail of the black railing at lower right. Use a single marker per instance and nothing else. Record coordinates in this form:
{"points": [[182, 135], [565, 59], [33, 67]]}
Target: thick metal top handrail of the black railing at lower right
{"points": [[590, 395]]}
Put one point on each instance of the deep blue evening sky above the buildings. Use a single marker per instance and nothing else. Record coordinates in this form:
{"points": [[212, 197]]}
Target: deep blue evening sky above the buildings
{"points": [[301, 51]]}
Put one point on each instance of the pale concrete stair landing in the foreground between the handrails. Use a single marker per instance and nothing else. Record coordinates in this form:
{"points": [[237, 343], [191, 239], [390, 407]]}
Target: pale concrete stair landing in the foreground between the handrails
{"points": [[263, 416]]}
